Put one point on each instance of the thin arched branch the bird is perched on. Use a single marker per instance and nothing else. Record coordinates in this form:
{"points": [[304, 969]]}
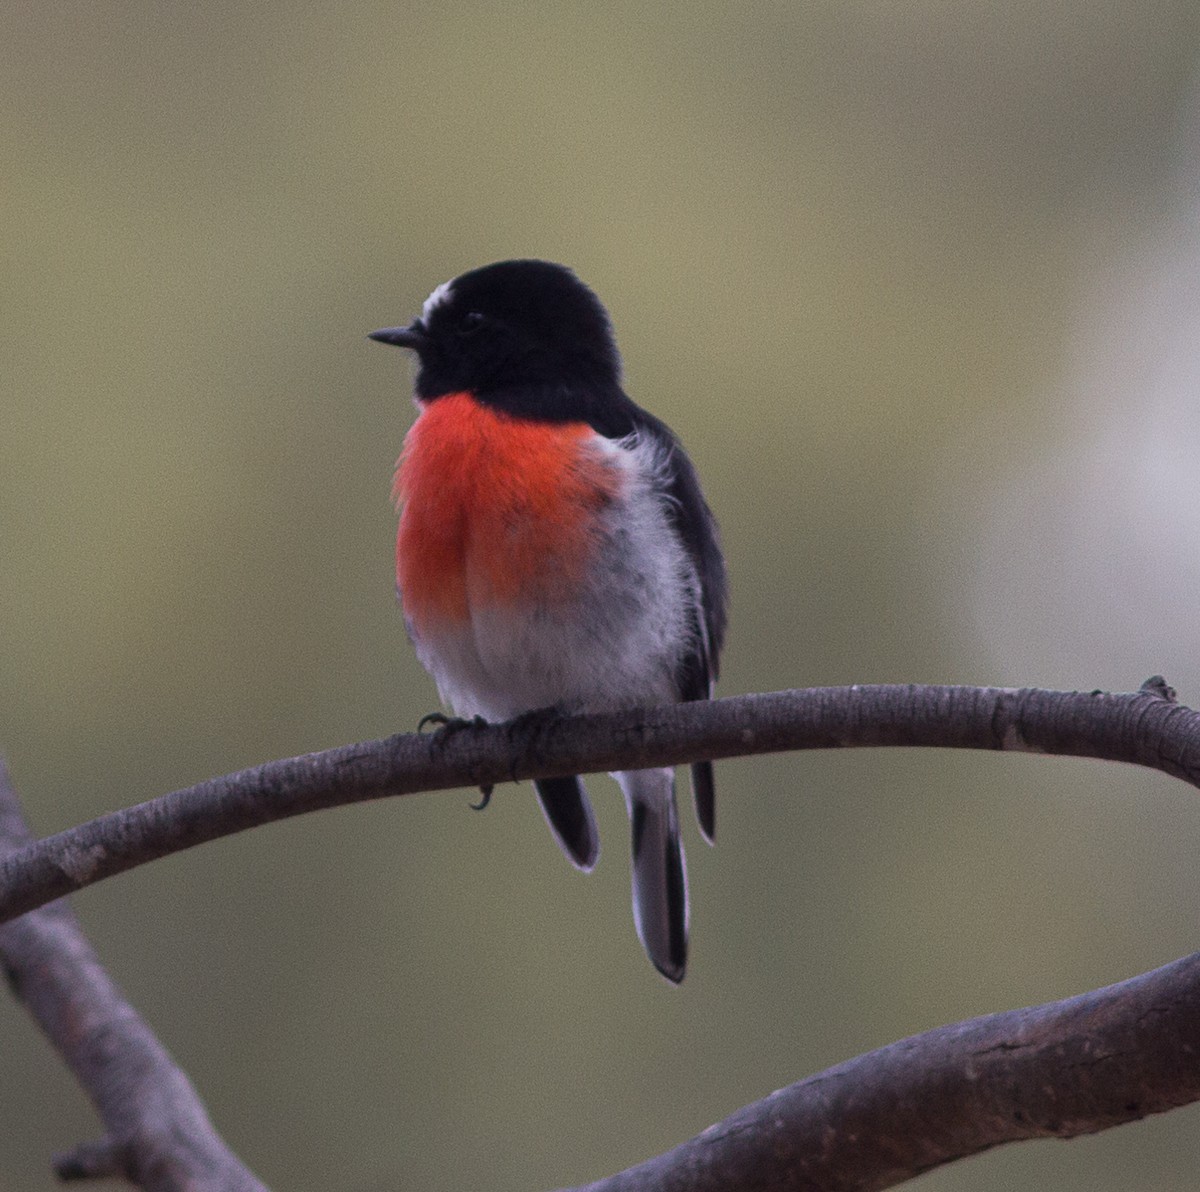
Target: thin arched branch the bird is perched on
{"points": [[1145, 728]]}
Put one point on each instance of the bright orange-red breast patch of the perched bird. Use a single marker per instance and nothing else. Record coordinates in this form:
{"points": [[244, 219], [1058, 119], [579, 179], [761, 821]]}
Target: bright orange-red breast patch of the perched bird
{"points": [[495, 510]]}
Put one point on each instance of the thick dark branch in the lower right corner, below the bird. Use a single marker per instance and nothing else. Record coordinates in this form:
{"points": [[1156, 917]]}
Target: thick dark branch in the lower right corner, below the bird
{"points": [[1055, 1071]]}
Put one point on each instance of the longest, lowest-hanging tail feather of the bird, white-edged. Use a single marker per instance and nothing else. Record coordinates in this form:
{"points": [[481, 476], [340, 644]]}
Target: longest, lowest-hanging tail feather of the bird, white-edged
{"points": [[661, 878]]}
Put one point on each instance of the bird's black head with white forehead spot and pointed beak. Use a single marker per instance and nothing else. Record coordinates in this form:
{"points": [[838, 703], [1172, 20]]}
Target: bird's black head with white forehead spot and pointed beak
{"points": [[523, 334]]}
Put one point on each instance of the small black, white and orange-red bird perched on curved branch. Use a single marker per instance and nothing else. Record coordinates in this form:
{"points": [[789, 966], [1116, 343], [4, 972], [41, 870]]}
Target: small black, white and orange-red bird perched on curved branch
{"points": [[555, 550]]}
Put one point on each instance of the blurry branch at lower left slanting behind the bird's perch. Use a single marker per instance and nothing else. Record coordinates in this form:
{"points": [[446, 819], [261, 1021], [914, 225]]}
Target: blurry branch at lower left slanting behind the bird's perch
{"points": [[159, 1136]]}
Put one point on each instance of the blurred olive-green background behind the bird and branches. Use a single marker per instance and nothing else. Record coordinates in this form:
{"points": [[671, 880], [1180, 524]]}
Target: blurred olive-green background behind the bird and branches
{"points": [[915, 283]]}
